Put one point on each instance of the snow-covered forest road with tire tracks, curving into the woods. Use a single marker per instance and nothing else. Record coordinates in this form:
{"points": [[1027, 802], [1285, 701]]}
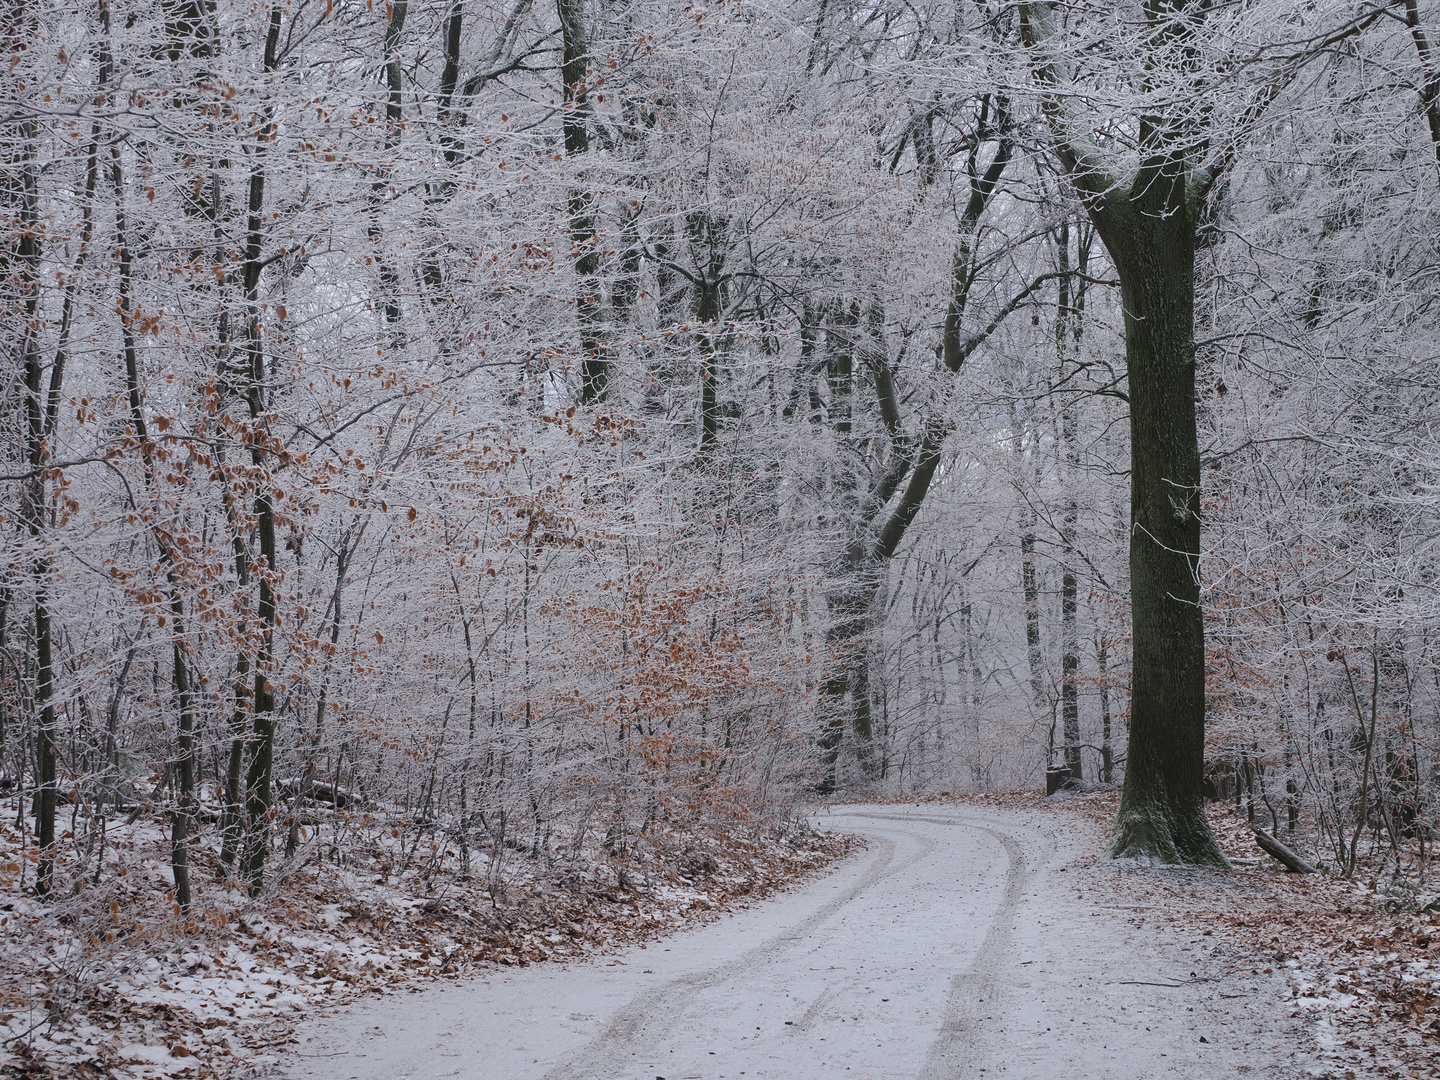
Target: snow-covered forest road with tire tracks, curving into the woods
{"points": [[963, 942]]}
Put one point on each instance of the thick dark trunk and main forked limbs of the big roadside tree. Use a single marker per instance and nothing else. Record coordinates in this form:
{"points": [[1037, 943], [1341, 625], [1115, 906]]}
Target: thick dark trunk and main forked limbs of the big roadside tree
{"points": [[1148, 225]]}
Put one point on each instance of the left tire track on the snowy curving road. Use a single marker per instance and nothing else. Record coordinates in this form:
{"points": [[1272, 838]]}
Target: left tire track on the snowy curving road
{"points": [[650, 1016]]}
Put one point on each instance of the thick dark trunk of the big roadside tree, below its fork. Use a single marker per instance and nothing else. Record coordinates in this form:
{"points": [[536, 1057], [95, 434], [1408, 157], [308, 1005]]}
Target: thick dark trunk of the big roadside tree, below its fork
{"points": [[1151, 240]]}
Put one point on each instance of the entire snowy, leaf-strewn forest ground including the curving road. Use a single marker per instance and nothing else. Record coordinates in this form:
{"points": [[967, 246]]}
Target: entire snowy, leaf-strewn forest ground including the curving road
{"points": [[1002, 899]]}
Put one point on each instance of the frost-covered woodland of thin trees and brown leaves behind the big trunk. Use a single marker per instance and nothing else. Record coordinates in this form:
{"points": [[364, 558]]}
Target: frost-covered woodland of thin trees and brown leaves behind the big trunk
{"points": [[542, 427]]}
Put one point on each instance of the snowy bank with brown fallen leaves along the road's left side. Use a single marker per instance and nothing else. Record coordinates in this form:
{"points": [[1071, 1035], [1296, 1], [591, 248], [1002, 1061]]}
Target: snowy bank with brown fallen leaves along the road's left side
{"points": [[119, 986]]}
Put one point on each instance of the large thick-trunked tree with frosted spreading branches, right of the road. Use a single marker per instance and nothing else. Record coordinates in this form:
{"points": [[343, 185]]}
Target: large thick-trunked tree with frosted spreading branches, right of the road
{"points": [[1148, 186]]}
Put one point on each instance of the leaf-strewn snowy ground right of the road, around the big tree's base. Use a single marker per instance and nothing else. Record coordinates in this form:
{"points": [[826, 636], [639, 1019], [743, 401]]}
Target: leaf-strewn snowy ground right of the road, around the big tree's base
{"points": [[1346, 974]]}
